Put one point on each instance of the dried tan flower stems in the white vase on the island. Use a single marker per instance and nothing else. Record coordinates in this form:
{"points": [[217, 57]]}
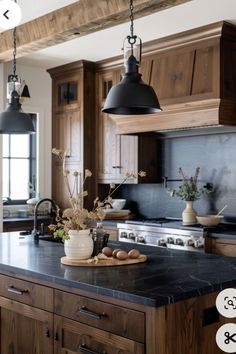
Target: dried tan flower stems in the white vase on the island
{"points": [[77, 217]]}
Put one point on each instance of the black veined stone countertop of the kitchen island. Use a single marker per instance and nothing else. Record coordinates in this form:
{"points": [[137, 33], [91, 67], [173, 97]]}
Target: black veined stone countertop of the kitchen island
{"points": [[168, 276]]}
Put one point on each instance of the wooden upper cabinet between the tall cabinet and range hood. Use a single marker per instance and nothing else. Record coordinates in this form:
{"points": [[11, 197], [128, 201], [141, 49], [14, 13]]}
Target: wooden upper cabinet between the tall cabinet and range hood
{"points": [[119, 154]]}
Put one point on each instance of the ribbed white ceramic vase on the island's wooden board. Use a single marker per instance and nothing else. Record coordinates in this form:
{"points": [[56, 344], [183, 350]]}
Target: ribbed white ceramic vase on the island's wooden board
{"points": [[80, 244]]}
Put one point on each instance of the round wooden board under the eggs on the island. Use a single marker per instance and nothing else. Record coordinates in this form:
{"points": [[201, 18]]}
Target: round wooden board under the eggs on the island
{"points": [[102, 262]]}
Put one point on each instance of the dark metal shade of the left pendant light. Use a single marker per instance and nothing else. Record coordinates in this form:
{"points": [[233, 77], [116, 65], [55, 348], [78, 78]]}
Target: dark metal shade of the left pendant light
{"points": [[13, 120]]}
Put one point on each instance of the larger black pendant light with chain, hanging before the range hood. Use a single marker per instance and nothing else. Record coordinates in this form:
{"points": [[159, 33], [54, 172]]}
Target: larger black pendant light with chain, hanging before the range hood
{"points": [[132, 96]]}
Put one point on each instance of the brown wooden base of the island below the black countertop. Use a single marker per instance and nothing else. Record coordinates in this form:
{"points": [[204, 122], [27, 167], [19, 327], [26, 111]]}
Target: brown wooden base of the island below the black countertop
{"points": [[54, 319]]}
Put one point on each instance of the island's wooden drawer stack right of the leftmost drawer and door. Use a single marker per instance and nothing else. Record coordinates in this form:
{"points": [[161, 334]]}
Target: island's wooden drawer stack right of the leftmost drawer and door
{"points": [[96, 327]]}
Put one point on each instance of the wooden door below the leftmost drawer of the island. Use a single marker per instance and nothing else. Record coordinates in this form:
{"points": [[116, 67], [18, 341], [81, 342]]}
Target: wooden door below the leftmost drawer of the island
{"points": [[24, 329]]}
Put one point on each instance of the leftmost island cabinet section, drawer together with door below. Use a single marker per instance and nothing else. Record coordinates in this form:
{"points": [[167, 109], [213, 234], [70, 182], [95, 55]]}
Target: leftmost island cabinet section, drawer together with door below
{"points": [[26, 318]]}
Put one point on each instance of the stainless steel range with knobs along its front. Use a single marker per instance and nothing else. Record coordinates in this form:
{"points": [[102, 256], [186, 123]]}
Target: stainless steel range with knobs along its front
{"points": [[163, 233]]}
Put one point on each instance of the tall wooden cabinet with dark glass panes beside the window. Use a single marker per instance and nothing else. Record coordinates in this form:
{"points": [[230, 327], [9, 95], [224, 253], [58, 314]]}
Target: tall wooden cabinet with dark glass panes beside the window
{"points": [[73, 125]]}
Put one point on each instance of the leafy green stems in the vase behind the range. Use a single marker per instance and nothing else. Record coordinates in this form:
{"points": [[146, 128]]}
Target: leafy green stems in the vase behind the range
{"points": [[189, 190]]}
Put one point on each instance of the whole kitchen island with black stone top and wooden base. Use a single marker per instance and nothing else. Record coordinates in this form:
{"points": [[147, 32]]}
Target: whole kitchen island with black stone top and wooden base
{"points": [[163, 306]]}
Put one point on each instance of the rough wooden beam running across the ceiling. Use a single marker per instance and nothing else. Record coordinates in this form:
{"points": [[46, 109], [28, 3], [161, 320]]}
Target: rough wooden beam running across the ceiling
{"points": [[83, 17]]}
